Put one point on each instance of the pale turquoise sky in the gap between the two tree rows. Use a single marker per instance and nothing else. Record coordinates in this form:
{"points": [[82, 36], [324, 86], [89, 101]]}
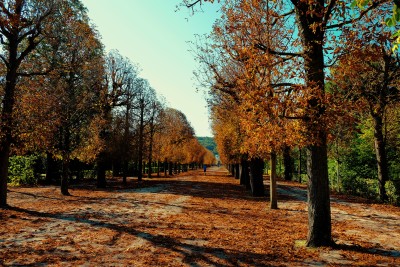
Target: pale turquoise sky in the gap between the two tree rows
{"points": [[155, 35]]}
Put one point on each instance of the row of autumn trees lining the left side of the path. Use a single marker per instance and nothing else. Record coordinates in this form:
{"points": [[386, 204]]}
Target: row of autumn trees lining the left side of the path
{"points": [[63, 97]]}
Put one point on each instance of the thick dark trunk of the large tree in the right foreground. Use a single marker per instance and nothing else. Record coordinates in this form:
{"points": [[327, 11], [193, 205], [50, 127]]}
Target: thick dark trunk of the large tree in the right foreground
{"points": [[319, 213]]}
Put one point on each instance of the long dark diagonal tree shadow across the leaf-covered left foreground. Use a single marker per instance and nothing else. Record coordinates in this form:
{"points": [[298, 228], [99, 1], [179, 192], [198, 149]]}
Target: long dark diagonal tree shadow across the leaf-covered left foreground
{"points": [[191, 253]]}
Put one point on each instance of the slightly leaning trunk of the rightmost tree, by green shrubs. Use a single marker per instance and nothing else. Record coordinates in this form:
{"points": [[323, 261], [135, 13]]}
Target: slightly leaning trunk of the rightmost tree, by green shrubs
{"points": [[381, 158]]}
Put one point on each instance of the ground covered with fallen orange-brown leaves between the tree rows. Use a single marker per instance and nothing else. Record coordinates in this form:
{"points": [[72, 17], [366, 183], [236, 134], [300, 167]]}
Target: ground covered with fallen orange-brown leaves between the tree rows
{"points": [[188, 220]]}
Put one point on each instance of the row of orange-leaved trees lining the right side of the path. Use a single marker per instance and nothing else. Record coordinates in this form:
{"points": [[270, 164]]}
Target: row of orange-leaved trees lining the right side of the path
{"points": [[299, 73]]}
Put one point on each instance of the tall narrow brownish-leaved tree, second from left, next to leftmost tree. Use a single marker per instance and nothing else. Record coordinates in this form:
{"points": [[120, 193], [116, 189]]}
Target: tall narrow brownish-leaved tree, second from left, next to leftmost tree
{"points": [[77, 83]]}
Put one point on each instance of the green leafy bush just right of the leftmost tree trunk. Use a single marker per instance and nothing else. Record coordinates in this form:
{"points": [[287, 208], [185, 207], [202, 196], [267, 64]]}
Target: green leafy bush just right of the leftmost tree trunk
{"points": [[22, 170]]}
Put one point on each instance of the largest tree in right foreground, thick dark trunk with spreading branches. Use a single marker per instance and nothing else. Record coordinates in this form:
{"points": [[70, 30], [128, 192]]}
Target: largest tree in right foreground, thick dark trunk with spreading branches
{"points": [[315, 21]]}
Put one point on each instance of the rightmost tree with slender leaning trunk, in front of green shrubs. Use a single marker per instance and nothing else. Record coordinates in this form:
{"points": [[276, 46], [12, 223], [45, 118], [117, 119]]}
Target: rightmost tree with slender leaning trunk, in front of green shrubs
{"points": [[371, 75]]}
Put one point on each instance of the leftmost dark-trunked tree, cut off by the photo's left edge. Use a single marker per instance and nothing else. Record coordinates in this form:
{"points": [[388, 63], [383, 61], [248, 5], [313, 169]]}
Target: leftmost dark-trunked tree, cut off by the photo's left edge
{"points": [[21, 30]]}
